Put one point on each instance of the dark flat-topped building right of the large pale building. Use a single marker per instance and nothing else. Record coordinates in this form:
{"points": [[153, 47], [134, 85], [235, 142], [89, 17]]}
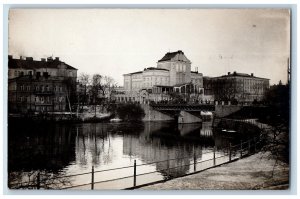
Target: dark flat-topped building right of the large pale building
{"points": [[239, 86]]}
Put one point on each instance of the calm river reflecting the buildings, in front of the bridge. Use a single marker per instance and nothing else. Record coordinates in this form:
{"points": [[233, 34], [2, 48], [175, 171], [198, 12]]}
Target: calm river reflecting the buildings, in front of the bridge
{"points": [[60, 150]]}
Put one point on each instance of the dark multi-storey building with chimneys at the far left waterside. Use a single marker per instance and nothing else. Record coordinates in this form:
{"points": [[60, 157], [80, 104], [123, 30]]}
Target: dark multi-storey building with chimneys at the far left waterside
{"points": [[40, 86]]}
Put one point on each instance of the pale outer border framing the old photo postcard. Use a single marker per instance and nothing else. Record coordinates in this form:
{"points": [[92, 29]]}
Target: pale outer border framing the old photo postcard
{"points": [[162, 3]]}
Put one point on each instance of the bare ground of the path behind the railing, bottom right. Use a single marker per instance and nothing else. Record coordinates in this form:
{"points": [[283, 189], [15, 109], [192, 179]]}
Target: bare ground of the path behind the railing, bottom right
{"points": [[254, 172]]}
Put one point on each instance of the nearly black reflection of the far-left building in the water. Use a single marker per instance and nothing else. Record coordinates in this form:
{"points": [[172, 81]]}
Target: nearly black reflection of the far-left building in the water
{"points": [[41, 147]]}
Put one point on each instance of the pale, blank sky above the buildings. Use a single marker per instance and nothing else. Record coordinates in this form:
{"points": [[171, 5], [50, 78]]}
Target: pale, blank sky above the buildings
{"points": [[114, 42]]}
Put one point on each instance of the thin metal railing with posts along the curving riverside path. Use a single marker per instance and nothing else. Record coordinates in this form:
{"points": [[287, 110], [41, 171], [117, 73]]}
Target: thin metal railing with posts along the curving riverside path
{"points": [[232, 153]]}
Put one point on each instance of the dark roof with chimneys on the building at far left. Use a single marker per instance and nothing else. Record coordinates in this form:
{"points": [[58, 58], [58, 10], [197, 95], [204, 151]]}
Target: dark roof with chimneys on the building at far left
{"points": [[34, 64]]}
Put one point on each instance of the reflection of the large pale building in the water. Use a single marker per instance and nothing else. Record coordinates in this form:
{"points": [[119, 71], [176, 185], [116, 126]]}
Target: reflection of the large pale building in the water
{"points": [[152, 149]]}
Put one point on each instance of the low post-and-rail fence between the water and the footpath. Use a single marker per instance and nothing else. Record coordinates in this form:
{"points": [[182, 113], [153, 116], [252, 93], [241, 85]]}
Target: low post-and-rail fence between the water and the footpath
{"points": [[137, 179]]}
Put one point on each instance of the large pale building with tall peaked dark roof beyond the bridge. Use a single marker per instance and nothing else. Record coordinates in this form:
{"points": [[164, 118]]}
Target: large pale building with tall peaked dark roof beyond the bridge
{"points": [[172, 74]]}
